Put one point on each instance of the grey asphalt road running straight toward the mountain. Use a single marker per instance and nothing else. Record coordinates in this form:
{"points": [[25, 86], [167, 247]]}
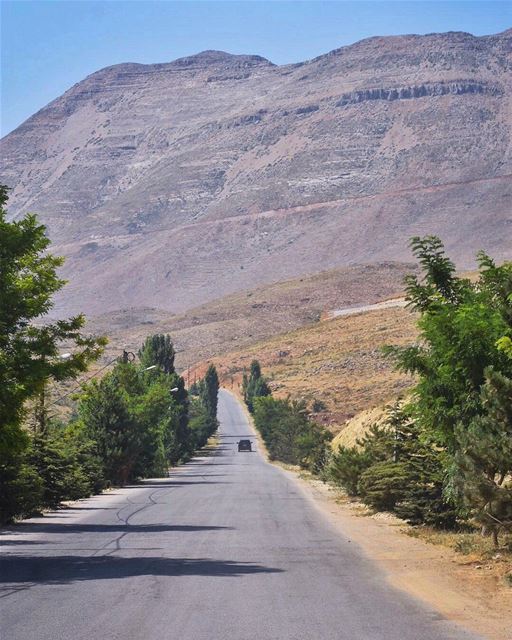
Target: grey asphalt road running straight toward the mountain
{"points": [[227, 547]]}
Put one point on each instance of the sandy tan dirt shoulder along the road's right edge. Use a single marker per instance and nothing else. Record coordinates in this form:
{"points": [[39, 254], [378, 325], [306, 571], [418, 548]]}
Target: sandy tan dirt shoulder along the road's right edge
{"points": [[462, 591]]}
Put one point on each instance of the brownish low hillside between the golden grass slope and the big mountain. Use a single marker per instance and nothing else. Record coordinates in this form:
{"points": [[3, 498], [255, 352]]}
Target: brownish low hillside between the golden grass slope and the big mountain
{"points": [[244, 319]]}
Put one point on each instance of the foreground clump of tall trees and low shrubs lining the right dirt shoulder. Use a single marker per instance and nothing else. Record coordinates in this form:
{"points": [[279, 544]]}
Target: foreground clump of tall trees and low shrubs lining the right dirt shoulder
{"points": [[448, 453]]}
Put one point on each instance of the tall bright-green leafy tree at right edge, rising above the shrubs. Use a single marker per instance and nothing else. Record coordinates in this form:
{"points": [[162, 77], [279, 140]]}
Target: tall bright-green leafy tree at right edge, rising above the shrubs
{"points": [[460, 324]]}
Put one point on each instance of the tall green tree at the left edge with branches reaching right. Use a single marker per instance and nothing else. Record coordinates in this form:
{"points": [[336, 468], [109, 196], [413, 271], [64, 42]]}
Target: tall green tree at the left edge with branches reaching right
{"points": [[29, 352]]}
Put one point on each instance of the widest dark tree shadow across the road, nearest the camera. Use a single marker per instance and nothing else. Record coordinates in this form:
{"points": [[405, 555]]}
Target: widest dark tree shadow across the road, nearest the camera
{"points": [[67, 569]]}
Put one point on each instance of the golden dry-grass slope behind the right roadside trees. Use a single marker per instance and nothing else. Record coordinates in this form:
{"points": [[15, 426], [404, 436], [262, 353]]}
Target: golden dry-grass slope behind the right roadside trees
{"points": [[338, 362]]}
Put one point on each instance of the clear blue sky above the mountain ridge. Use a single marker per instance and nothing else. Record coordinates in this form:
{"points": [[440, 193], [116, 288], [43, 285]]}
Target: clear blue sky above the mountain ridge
{"points": [[48, 45]]}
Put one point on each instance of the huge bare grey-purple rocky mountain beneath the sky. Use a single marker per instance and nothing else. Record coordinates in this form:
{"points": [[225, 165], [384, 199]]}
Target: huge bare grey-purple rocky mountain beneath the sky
{"points": [[168, 185]]}
